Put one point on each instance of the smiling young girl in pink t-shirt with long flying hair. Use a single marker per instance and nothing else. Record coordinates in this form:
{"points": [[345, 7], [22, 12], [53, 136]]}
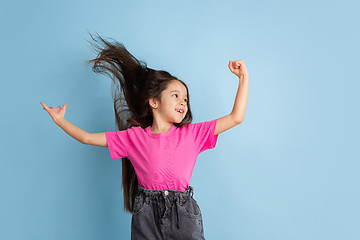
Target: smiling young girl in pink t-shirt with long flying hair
{"points": [[157, 141]]}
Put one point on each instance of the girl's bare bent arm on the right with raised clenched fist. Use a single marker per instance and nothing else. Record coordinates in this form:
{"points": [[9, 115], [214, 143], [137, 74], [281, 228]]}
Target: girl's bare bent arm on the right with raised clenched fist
{"points": [[238, 113]]}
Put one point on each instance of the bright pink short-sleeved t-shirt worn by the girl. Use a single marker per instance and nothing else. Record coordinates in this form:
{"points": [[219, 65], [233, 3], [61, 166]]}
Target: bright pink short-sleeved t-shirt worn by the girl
{"points": [[163, 160]]}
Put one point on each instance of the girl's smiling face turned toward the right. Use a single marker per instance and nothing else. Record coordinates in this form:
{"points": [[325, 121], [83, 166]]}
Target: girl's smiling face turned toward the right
{"points": [[173, 106]]}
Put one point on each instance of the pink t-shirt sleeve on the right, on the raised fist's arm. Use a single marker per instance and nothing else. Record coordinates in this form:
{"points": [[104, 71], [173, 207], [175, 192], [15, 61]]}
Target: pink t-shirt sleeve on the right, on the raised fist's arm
{"points": [[204, 135]]}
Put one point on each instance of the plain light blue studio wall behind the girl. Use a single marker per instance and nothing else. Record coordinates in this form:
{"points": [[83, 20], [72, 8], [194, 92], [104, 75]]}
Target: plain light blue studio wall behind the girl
{"points": [[290, 171]]}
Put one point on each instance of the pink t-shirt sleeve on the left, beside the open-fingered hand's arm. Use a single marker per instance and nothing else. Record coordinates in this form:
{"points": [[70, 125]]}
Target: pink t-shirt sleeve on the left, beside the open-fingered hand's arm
{"points": [[118, 143]]}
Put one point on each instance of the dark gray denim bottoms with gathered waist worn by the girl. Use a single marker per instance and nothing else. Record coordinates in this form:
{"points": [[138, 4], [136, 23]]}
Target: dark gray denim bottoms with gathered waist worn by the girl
{"points": [[167, 214]]}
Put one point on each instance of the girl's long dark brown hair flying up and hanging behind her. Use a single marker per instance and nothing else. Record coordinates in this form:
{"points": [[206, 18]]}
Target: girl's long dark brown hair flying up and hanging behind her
{"points": [[135, 84]]}
